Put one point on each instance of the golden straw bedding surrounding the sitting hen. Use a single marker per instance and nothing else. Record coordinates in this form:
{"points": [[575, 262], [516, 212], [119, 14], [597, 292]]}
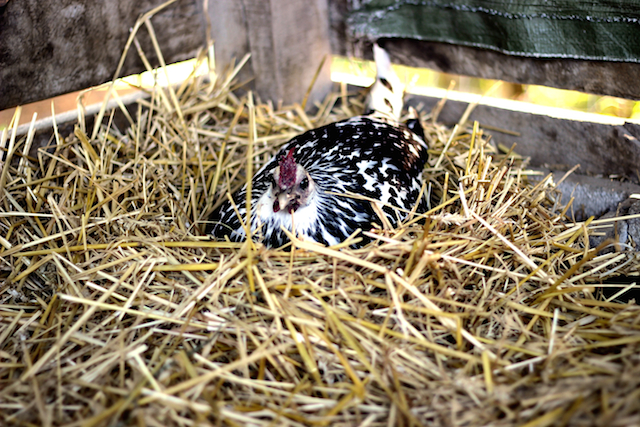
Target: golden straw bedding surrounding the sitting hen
{"points": [[115, 309]]}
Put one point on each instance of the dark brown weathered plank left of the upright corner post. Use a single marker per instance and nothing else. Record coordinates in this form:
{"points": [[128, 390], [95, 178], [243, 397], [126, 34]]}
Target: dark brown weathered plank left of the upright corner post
{"points": [[52, 48]]}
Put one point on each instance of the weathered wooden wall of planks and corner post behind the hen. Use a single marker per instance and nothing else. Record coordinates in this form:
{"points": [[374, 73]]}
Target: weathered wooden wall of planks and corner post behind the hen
{"points": [[50, 48]]}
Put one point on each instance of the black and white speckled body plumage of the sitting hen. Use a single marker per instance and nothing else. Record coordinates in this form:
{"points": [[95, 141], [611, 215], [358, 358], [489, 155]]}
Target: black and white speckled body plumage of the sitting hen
{"points": [[367, 156]]}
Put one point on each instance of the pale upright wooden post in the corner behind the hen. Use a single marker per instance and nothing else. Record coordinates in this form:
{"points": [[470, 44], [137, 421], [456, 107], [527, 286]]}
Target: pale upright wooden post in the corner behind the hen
{"points": [[287, 40]]}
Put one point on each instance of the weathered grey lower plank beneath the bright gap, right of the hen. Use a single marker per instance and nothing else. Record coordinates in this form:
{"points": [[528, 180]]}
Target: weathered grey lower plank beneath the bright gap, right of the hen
{"points": [[558, 144]]}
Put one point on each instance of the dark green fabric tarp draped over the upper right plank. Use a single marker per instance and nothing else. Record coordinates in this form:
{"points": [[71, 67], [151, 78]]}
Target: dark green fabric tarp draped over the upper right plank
{"points": [[595, 30]]}
